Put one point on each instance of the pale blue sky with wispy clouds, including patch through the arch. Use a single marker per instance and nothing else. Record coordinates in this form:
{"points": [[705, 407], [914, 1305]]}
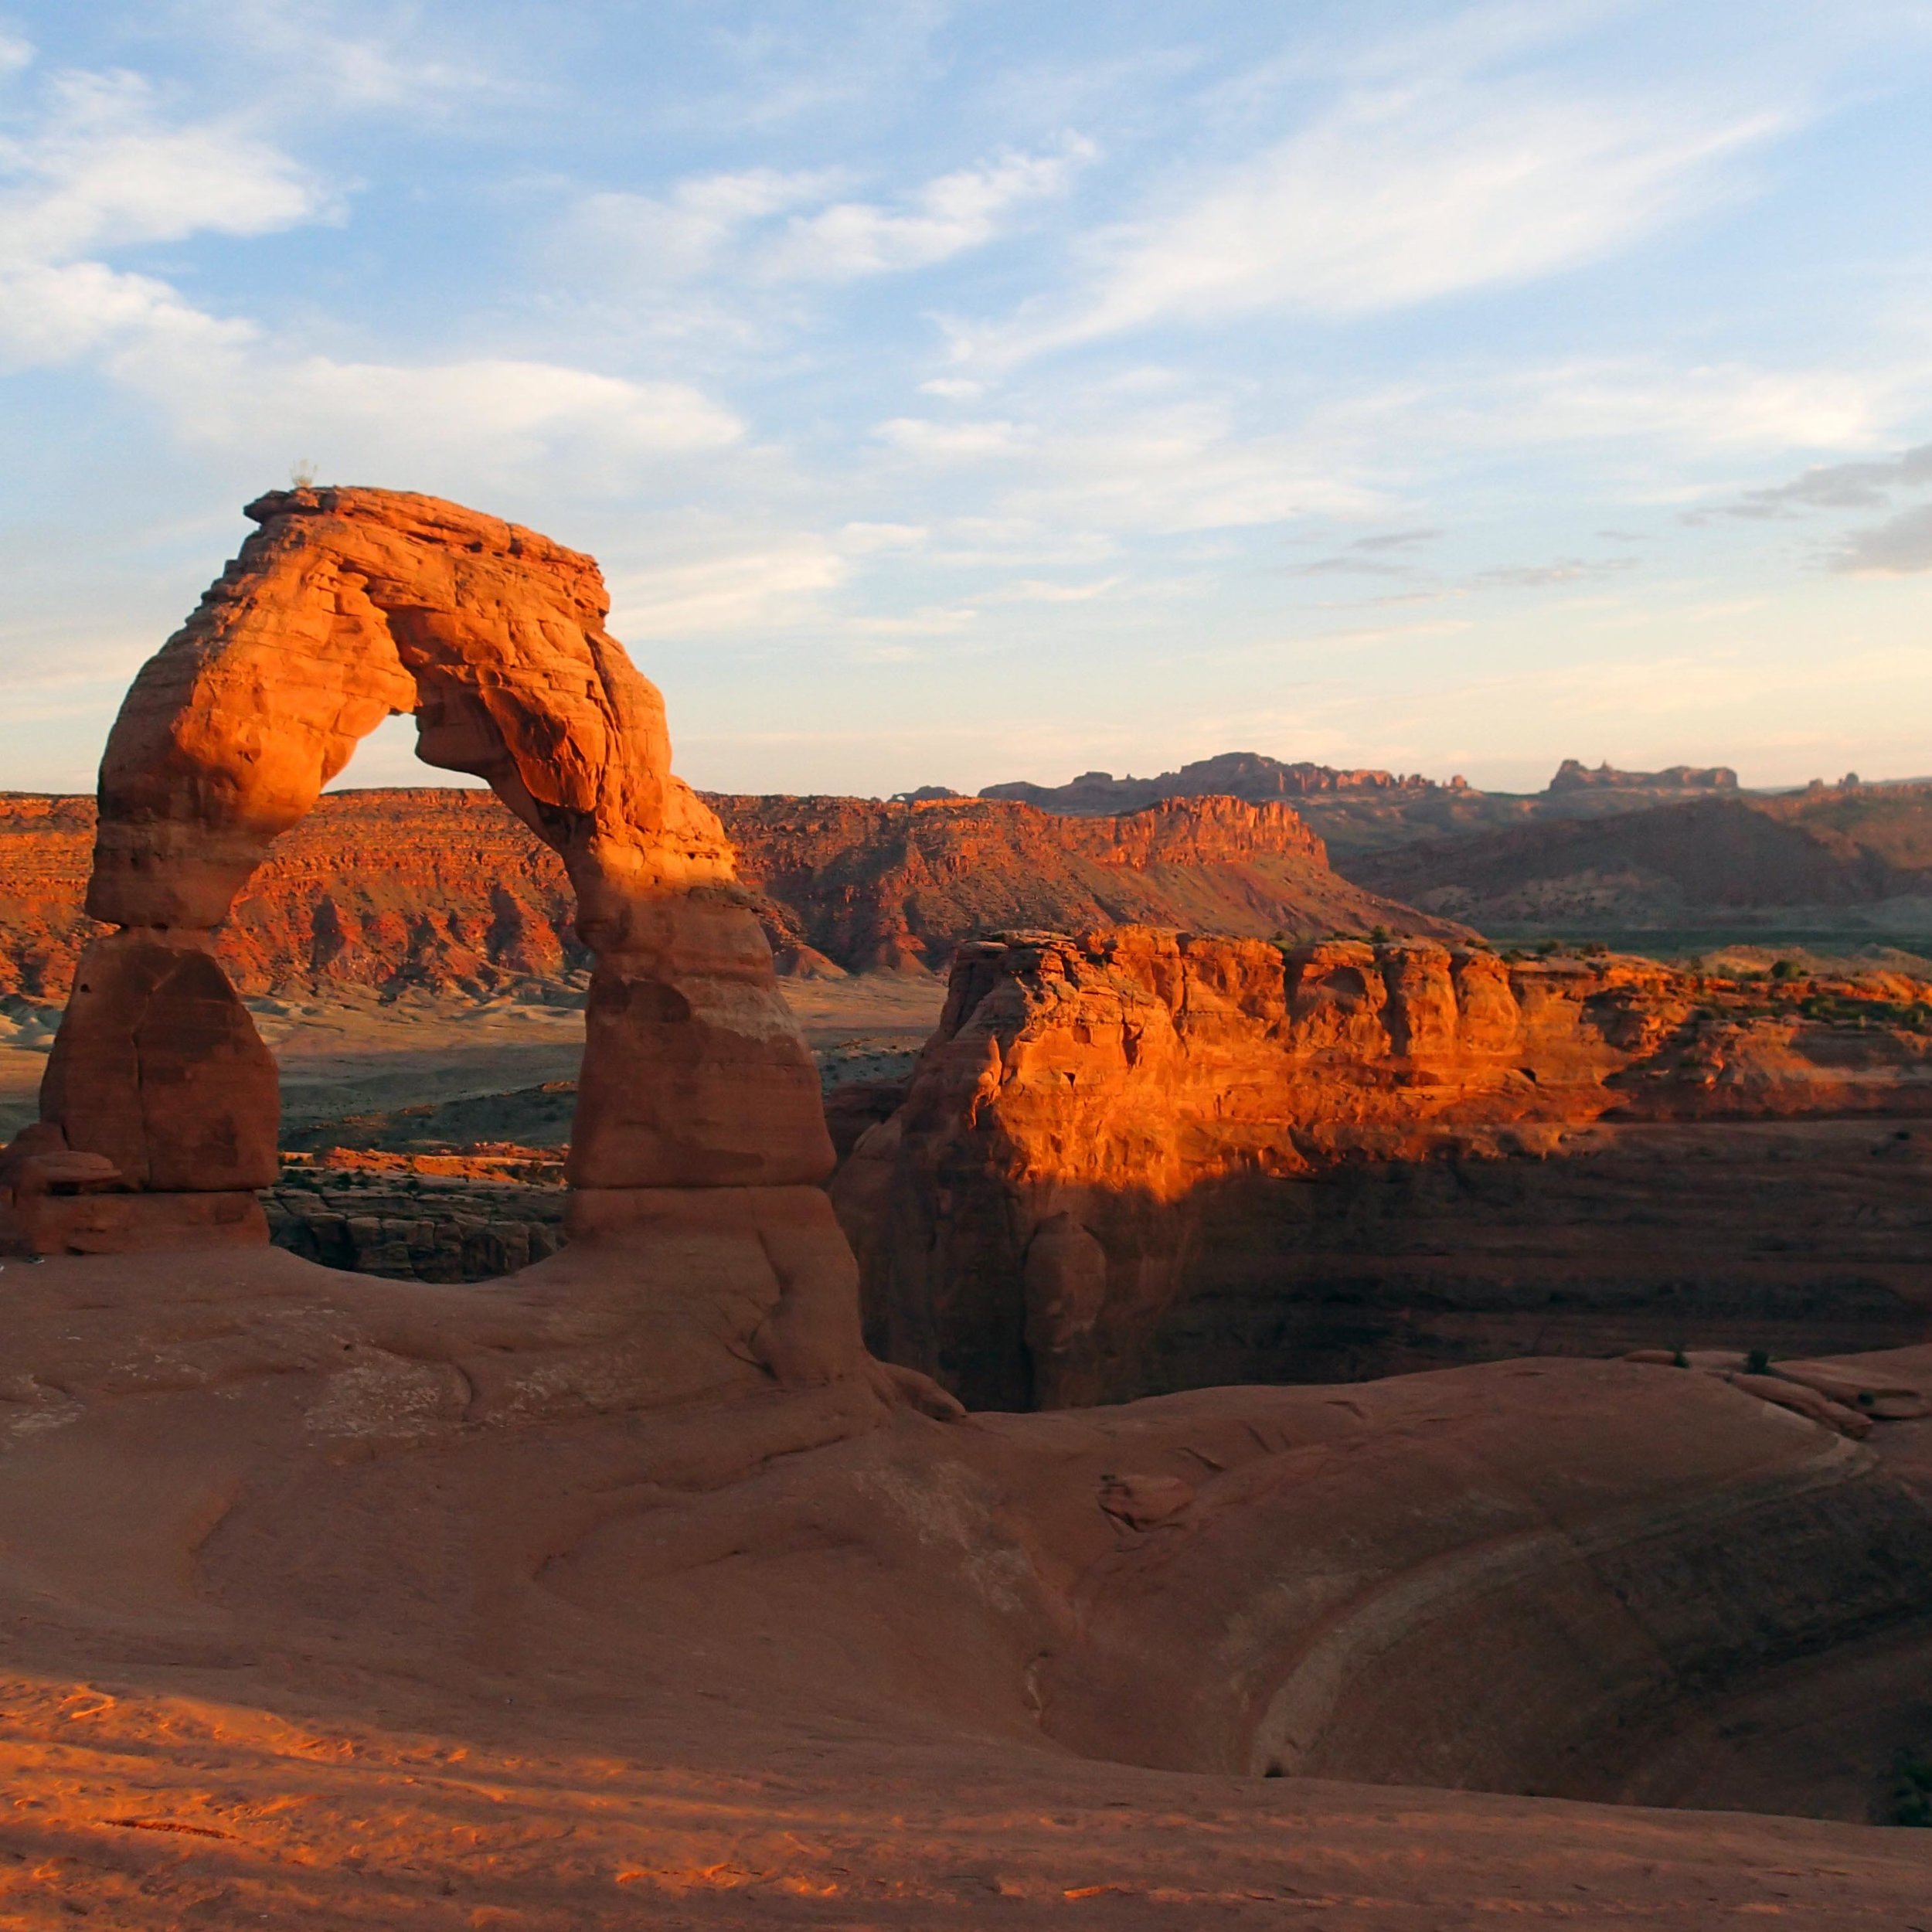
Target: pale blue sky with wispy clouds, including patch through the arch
{"points": [[959, 393]]}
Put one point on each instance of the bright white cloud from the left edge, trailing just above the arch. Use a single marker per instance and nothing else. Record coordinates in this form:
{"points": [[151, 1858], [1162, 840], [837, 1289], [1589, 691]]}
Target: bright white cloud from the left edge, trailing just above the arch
{"points": [[101, 169]]}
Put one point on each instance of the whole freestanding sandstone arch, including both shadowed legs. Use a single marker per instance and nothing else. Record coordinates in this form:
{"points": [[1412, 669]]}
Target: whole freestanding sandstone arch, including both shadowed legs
{"points": [[349, 606]]}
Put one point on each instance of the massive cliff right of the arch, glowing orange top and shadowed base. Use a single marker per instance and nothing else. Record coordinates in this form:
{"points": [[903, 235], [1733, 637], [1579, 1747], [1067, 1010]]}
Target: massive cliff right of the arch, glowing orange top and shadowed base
{"points": [[1120, 1156]]}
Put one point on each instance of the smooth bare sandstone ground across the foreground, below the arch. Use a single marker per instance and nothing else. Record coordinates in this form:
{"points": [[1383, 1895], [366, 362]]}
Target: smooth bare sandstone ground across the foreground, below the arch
{"points": [[360, 1605]]}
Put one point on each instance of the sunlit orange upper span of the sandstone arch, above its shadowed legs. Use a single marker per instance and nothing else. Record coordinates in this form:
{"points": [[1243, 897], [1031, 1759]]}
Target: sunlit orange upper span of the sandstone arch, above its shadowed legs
{"points": [[345, 608]]}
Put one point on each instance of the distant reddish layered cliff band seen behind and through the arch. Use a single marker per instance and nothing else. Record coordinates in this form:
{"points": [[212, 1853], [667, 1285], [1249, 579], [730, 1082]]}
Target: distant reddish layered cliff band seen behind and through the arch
{"points": [[447, 892]]}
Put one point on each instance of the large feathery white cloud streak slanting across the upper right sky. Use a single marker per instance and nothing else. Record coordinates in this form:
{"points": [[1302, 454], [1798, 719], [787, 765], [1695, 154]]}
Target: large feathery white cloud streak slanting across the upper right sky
{"points": [[1400, 196]]}
